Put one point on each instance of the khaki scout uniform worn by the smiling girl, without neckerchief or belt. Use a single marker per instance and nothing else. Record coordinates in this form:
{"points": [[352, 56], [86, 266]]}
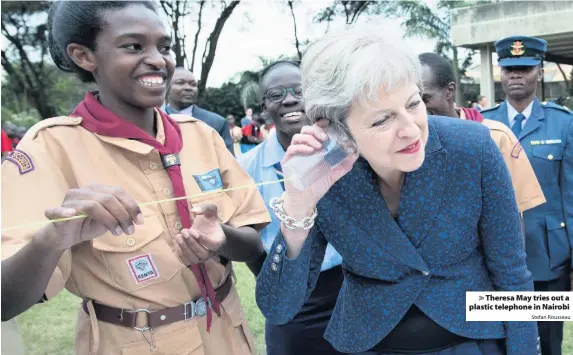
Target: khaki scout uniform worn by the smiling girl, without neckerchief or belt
{"points": [[66, 156]]}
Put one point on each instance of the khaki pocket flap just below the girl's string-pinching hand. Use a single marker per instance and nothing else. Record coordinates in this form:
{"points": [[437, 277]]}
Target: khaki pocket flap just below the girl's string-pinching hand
{"points": [[144, 234]]}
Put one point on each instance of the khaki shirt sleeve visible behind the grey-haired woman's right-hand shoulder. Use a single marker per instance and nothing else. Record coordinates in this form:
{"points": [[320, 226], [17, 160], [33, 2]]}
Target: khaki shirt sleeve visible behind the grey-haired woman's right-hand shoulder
{"points": [[528, 192]]}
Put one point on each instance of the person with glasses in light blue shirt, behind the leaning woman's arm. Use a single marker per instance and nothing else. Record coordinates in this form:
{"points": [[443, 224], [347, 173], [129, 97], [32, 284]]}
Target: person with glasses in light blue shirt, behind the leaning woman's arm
{"points": [[280, 85]]}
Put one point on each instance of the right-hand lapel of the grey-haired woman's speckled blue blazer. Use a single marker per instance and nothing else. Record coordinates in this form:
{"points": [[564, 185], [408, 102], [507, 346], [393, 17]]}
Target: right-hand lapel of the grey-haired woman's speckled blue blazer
{"points": [[422, 191]]}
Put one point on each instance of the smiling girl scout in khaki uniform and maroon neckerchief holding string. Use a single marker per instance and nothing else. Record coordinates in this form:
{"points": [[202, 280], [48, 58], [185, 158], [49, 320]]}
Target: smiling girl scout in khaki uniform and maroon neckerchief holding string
{"points": [[154, 277]]}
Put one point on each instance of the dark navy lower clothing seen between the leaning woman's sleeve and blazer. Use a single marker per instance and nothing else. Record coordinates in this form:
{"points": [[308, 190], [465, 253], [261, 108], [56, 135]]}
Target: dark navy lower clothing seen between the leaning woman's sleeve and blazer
{"points": [[305, 333]]}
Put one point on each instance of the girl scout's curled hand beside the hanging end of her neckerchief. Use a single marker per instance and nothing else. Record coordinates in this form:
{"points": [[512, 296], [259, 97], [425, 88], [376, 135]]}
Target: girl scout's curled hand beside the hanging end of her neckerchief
{"points": [[202, 241]]}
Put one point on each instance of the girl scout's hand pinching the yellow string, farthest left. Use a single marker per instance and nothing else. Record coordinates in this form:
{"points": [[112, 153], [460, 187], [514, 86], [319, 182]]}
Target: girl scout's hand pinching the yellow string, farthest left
{"points": [[107, 208]]}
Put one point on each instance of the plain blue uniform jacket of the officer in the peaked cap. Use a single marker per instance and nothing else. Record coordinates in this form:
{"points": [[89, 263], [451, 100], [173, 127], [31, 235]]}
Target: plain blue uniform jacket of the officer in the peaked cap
{"points": [[547, 139]]}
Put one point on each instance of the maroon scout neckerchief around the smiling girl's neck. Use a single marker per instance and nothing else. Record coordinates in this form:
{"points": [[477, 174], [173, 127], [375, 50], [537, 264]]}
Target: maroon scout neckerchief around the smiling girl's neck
{"points": [[100, 120]]}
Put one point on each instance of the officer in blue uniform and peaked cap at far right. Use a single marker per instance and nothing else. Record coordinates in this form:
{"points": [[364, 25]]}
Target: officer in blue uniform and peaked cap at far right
{"points": [[545, 131]]}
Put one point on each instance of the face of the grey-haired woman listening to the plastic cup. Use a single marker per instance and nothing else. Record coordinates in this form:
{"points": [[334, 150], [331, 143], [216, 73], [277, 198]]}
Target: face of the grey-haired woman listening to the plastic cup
{"points": [[391, 133]]}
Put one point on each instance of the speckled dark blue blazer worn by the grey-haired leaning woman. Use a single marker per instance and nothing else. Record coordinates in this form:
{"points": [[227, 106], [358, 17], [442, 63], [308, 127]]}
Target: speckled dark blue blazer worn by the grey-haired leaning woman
{"points": [[458, 229]]}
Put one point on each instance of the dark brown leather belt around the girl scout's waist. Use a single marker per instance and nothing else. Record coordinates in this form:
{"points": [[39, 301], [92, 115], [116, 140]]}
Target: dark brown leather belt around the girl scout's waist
{"points": [[128, 318]]}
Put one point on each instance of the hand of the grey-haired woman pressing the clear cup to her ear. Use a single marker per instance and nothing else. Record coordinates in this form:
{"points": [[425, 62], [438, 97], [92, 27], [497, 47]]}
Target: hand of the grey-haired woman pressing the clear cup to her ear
{"points": [[300, 204]]}
